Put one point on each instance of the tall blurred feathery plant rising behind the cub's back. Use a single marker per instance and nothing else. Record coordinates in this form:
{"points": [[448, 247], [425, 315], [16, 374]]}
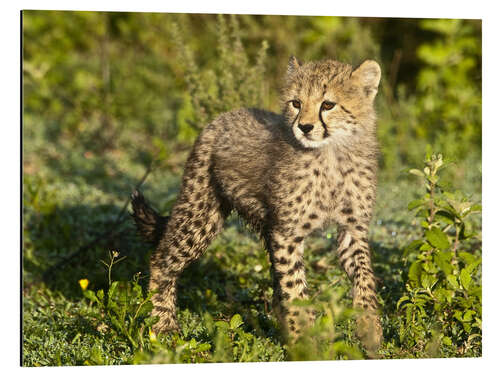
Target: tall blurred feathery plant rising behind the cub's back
{"points": [[232, 83]]}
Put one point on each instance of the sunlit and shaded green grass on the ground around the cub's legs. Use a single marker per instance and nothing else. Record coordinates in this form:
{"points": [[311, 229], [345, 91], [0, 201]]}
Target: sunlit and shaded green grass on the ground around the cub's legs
{"points": [[71, 197]]}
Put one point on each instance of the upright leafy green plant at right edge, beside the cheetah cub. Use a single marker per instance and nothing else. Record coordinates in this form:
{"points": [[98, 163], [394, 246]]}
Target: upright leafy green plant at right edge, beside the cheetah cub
{"points": [[443, 290]]}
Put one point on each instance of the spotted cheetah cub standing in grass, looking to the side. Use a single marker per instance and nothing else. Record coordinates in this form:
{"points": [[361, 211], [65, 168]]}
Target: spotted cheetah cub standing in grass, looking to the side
{"points": [[286, 175]]}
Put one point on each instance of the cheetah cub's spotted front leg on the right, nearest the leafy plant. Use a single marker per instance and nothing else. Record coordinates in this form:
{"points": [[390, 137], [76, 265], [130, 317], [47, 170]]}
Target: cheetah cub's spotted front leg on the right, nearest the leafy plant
{"points": [[354, 256]]}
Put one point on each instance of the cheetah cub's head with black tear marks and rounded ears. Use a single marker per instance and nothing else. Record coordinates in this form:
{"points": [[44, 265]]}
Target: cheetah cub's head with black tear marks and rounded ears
{"points": [[328, 102]]}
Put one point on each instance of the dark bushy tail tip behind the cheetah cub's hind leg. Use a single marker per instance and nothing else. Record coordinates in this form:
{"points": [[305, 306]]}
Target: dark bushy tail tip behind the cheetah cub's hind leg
{"points": [[149, 223]]}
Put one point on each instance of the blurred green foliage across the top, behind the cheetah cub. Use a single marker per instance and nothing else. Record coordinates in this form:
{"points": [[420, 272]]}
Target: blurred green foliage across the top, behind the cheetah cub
{"points": [[136, 81]]}
